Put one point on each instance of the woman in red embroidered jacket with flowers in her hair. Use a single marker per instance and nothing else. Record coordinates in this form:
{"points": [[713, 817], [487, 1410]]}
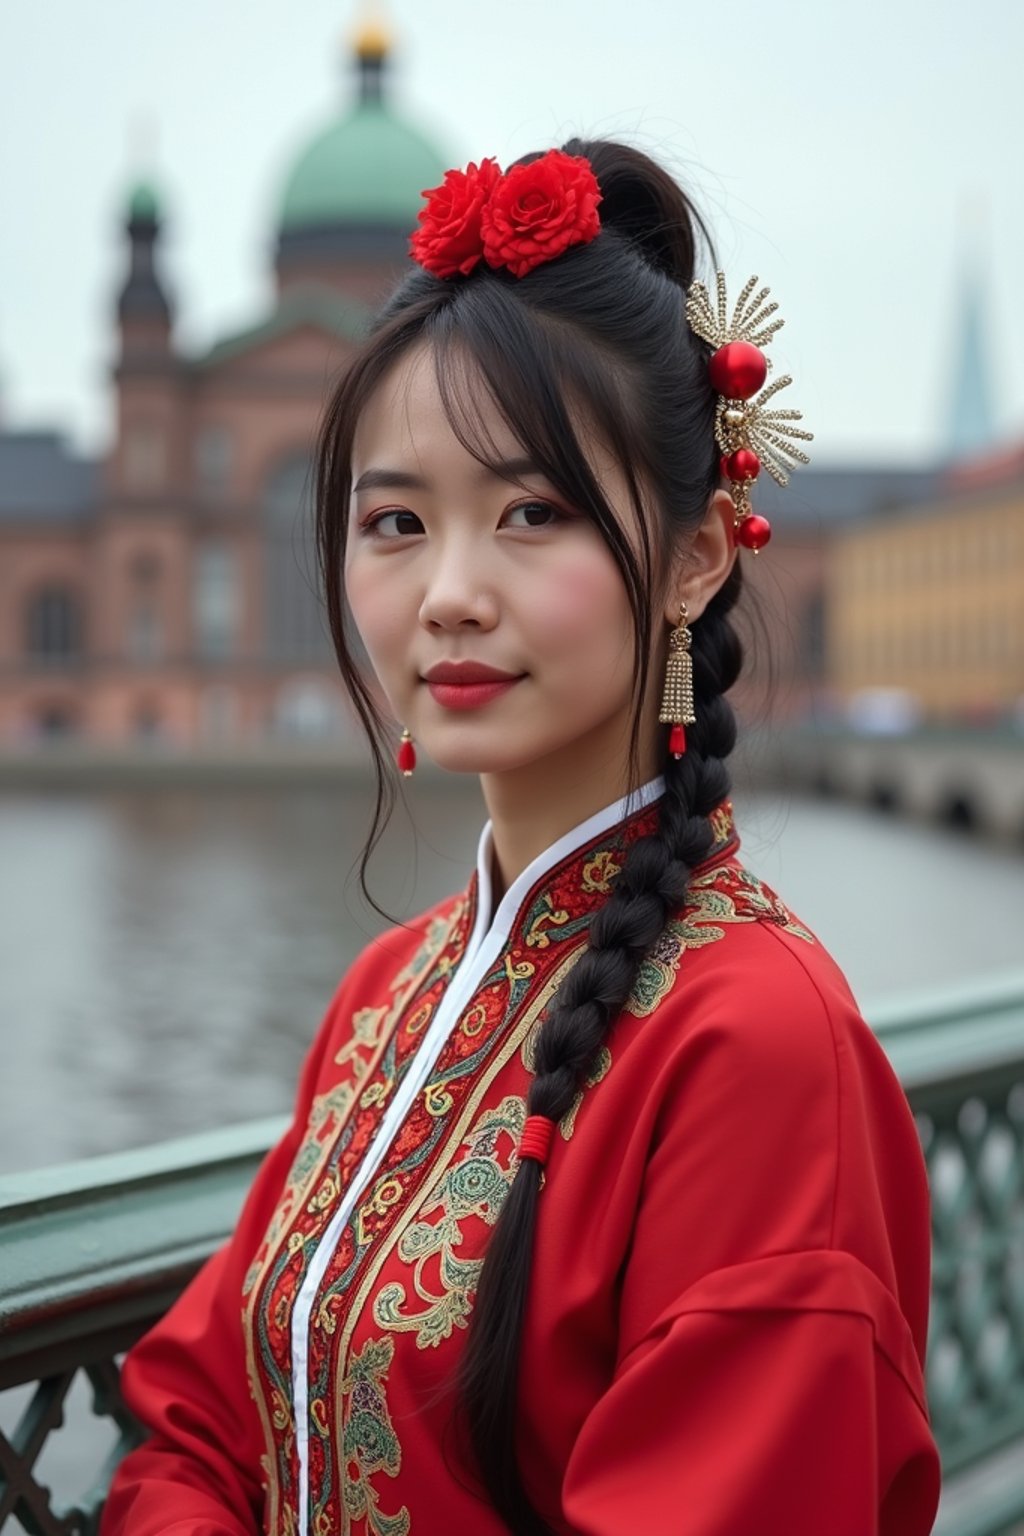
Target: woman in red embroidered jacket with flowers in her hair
{"points": [[603, 1210]]}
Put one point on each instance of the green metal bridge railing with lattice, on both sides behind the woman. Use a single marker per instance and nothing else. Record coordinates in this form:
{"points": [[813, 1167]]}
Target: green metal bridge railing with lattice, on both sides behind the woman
{"points": [[94, 1253]]}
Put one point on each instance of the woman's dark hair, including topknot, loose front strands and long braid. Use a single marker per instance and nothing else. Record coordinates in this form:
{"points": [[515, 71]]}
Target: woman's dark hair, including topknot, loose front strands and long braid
{"points": [[600, 328]]}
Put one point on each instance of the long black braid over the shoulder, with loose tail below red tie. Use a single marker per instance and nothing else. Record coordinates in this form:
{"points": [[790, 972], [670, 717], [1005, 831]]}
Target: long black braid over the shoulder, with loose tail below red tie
{"points": [[646, 893]]}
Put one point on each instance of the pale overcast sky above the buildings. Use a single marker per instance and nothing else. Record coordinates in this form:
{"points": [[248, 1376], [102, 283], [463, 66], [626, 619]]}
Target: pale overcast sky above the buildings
{"points": [[851, 156]]}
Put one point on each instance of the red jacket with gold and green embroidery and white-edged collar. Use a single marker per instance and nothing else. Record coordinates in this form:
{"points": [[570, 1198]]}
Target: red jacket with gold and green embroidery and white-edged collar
{"points": [[728, 1308]]}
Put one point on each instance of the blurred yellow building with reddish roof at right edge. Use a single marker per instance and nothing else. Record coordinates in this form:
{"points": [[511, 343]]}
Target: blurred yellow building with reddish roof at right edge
{"points": [[930, 598]]}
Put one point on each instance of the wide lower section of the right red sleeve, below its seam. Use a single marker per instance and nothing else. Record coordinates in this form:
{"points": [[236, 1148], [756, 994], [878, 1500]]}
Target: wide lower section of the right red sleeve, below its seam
{"points": [[778, 1400]]}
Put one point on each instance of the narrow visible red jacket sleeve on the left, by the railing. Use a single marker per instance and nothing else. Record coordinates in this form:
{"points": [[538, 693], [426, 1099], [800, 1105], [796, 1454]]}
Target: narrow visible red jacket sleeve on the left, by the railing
{"points": [[187, 1380]]}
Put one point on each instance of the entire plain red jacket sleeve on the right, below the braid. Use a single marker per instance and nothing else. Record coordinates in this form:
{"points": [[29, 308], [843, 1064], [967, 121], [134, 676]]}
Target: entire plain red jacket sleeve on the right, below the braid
{"points": [[775, 1297]]}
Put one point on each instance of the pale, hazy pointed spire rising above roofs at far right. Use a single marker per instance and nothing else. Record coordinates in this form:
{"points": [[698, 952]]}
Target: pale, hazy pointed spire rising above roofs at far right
{"points": [[973, 426]]}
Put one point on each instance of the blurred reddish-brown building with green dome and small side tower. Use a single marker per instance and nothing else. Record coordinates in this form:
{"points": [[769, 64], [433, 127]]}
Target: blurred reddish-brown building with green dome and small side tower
{"points": [[171, 592]]}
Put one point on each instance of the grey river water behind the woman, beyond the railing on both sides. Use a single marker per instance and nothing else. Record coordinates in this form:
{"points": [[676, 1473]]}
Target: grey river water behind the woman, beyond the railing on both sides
{"points": [[168, 955]]}
